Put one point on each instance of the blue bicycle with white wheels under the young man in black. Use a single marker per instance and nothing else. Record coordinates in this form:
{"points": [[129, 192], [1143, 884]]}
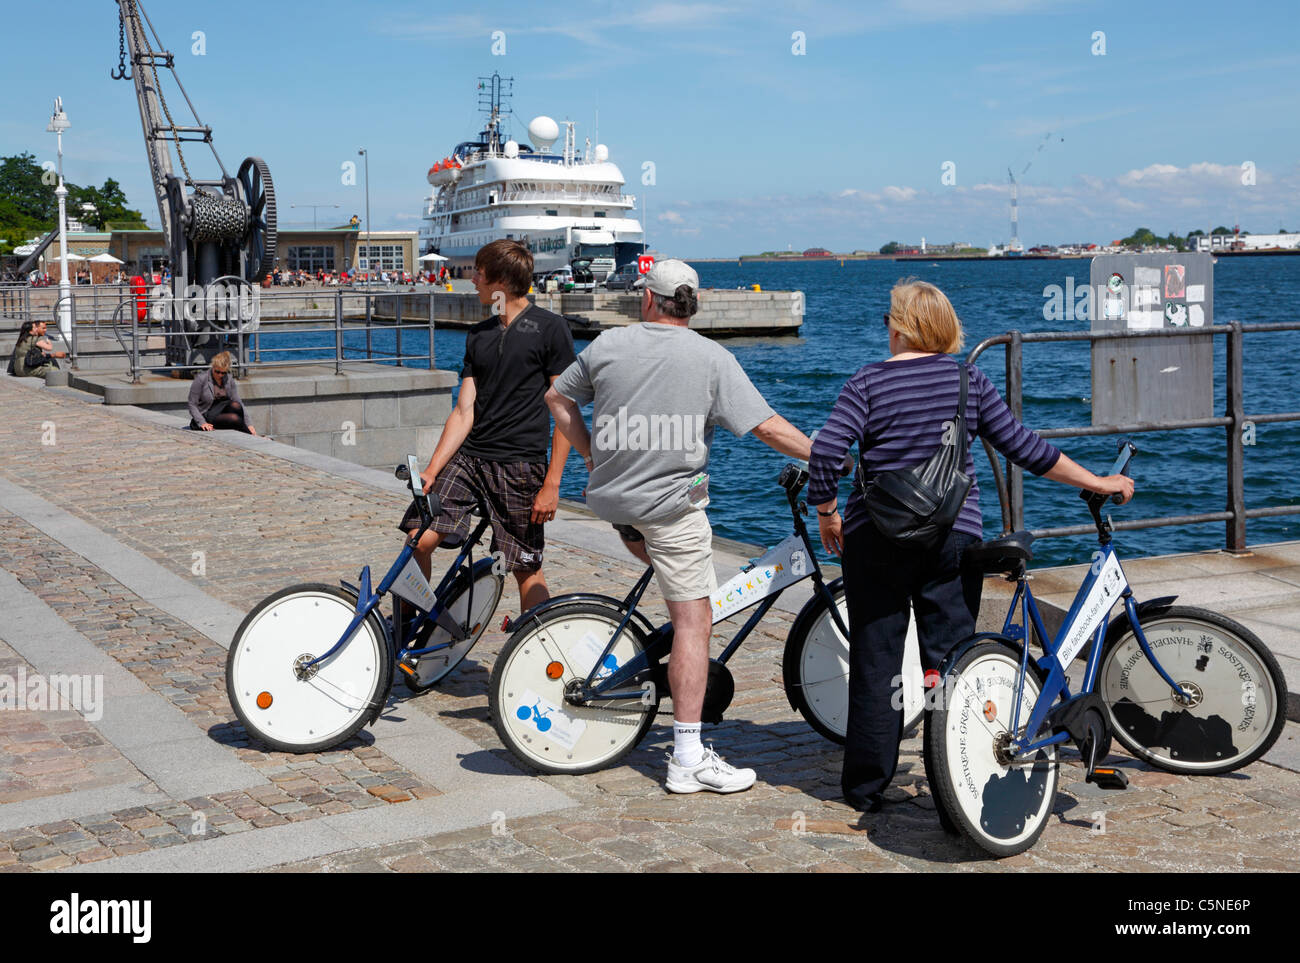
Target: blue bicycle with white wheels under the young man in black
{"points": [[314, 663]]}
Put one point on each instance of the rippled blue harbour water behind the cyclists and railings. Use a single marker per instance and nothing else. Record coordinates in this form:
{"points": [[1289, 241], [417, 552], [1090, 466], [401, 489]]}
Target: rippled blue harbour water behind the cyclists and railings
{"points": [[1177, 472]]}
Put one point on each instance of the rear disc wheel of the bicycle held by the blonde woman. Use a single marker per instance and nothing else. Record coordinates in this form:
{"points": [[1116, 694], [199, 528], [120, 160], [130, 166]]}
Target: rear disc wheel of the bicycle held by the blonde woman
{"points": [[1002, 804]]}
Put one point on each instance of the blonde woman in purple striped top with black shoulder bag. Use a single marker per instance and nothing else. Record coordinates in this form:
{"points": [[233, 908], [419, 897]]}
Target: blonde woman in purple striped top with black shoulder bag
{"points": [[898, 413]]}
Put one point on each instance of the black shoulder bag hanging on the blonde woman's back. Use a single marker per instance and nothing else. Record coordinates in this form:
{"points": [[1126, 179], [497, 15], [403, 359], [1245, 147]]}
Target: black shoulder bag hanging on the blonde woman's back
{"points": [[917, 507]]}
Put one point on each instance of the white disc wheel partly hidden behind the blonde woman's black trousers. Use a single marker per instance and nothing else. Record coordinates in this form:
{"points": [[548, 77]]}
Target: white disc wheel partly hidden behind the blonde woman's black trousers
{"points": [[817, 674]]}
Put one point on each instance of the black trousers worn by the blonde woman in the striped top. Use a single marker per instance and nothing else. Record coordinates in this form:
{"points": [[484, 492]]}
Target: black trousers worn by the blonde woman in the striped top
{"points": [[882, 582]]}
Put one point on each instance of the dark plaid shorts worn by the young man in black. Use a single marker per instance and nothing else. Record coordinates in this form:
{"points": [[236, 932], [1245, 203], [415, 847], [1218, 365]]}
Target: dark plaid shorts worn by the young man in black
{"points": [[509, 488]]}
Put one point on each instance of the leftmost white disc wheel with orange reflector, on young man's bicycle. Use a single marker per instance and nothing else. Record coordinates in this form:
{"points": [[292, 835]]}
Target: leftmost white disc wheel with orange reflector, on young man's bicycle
{"points": [[294, 709]]}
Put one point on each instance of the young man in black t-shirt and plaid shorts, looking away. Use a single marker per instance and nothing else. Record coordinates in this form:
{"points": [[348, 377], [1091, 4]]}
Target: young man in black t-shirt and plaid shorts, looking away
{"points": [[496, 439]]}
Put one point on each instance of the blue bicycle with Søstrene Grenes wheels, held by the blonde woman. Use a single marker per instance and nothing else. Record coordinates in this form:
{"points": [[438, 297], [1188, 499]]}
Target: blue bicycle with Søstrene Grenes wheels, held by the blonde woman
{"points": [[1185, 689]]}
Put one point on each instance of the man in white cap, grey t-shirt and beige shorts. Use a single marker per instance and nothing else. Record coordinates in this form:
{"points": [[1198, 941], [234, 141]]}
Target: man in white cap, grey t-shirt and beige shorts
{"points": [[660, 391]]}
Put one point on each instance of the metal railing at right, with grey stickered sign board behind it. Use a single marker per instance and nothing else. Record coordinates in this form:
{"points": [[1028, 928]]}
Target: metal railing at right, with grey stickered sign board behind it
{"points": [[1011, 488]]}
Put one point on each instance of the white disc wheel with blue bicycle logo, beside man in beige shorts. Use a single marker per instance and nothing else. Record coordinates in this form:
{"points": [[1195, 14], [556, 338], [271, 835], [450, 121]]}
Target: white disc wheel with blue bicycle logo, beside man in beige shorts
{"points": [[528, 683]]}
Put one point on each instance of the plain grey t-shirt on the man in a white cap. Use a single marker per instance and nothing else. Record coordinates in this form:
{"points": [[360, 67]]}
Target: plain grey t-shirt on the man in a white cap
{"points": [[660, 391]]}
